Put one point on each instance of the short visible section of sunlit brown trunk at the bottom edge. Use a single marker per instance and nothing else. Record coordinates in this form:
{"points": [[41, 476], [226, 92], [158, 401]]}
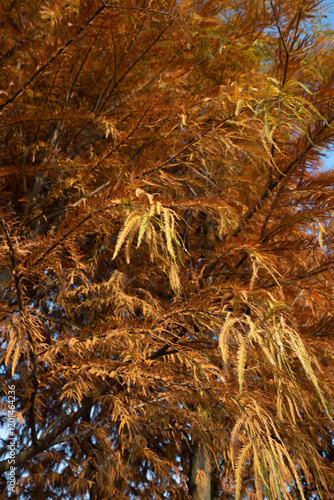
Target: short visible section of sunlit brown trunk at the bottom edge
{"points": [[200, 473]]}
